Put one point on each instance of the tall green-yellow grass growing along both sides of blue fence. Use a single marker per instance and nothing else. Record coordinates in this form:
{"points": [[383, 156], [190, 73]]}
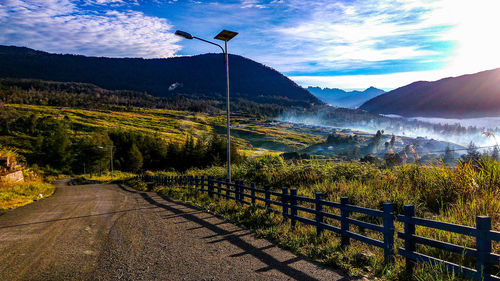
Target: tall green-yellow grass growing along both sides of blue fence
{"points": [[449, 194]]}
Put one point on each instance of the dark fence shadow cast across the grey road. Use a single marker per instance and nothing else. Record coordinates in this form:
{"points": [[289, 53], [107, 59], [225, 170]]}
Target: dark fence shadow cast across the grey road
{"points": [[235, 239]]}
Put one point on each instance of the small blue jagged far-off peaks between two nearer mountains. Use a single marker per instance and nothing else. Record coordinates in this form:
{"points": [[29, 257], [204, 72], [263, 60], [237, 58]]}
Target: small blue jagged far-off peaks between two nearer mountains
{"points": [[341, 98]]}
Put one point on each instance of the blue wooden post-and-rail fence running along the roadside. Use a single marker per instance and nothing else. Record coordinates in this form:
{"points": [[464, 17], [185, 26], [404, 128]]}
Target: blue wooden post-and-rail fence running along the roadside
{"points": [[290, 204]]}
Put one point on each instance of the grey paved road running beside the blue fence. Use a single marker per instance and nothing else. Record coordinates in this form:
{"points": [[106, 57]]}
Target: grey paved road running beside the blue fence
{"points": [[104, 232]]}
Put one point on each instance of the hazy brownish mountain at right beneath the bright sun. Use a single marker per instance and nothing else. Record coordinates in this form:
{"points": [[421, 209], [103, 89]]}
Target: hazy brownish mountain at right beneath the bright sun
{"points": [[467, 96]]}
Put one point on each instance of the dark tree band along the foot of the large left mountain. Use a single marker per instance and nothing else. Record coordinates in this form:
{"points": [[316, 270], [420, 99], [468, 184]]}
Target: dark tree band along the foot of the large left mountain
{"points": [[71, 94]]}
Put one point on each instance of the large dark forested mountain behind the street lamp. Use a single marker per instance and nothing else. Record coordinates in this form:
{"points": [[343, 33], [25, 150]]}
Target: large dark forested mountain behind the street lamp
{"points": [[196, 77]]}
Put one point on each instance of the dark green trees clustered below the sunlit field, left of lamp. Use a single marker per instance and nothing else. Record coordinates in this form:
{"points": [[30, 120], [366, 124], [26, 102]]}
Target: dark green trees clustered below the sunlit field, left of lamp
{"points": [[54, 146]]}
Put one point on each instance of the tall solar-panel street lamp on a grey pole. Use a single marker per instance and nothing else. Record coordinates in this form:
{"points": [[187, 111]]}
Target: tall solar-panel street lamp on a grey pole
{"points": [[224, 35]]}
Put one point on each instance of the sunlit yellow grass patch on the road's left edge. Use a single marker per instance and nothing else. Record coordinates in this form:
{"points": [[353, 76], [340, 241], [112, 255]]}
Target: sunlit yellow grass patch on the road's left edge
{"points": [[17, 195]]}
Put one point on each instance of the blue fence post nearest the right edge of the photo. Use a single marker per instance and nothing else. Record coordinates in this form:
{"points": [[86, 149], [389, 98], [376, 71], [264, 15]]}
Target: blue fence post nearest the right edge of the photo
{"points": [[483, 246]]}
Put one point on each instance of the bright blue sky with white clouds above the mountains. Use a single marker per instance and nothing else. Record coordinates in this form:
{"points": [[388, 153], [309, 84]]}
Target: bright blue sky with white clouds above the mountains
{"points": [[348, 44]]}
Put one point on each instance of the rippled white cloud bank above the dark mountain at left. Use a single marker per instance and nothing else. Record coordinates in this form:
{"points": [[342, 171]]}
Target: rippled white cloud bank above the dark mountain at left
{"points": [[61, 26]]}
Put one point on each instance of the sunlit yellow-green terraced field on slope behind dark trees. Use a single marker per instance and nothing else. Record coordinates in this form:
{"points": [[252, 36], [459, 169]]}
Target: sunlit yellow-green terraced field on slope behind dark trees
{"points": [[252, 136]]}
